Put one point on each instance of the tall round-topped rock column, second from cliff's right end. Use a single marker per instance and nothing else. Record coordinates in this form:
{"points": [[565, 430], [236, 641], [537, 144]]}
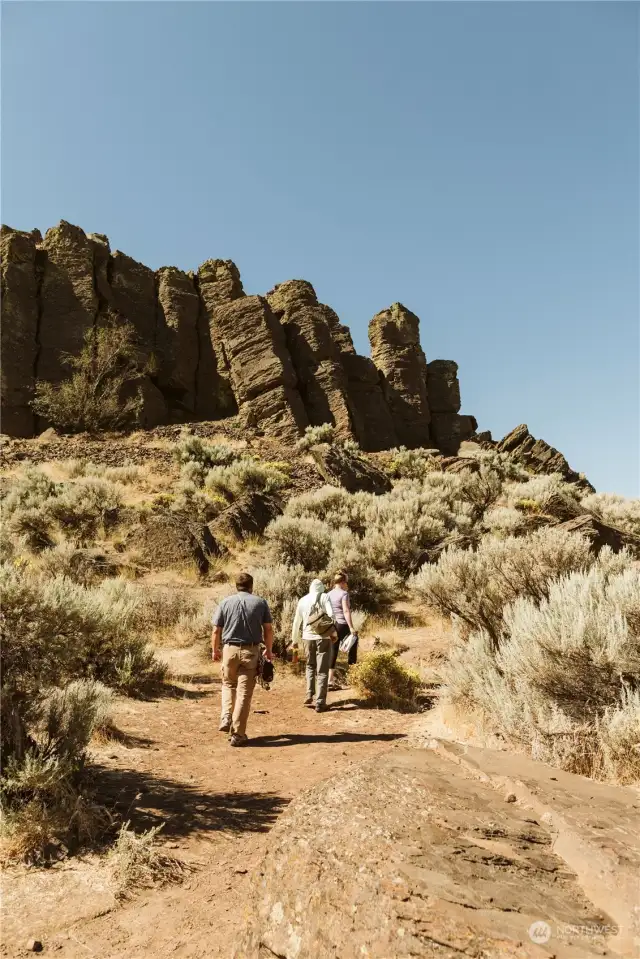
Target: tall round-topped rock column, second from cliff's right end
{"points": [[396, 351]]}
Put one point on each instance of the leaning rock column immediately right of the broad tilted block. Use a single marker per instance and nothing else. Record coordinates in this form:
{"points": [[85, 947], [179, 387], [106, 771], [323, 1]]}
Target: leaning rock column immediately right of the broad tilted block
{"points": [[321, 378]]}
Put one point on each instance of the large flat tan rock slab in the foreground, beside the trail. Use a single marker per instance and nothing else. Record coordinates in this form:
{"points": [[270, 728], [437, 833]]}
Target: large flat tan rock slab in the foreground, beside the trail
{"points": [[410, 855]]}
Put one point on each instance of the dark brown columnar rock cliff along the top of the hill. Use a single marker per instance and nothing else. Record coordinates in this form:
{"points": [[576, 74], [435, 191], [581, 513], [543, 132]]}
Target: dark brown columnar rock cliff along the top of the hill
{"points": [[282, 361]]}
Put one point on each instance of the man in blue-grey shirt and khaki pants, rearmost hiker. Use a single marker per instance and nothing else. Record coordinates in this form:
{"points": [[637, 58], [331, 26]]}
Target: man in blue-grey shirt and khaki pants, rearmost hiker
{"points": [[240, 623]]}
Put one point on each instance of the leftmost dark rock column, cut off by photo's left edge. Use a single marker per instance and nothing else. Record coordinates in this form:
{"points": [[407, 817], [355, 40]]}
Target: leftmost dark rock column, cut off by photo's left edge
{"points": [[18, 330]]}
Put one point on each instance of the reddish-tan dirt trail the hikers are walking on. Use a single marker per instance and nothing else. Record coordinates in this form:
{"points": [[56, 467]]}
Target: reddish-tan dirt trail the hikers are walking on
{"points": [[217, 805]]}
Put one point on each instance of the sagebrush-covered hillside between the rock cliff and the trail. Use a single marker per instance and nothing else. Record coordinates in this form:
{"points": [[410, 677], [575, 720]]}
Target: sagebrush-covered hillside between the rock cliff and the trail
{"points": [[117, 547]]}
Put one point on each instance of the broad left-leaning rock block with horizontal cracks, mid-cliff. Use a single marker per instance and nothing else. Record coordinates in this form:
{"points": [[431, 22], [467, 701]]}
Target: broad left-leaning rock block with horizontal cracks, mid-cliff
{"points": [[260, 369]]}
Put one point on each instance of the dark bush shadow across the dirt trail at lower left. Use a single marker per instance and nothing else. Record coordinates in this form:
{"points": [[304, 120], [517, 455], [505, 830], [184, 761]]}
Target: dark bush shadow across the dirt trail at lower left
{"points": [[145, 801]]}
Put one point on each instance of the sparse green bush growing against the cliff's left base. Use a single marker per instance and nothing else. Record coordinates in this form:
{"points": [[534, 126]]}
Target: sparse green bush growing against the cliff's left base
{"points": [[101, 393]]}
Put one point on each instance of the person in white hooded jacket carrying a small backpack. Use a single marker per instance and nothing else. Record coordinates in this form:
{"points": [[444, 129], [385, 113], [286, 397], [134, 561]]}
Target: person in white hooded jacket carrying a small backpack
{"points": [[314, 616]]}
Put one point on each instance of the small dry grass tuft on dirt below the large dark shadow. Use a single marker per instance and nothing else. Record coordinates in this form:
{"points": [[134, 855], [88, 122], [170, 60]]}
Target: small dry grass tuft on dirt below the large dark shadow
{"points": [[137, 862]]}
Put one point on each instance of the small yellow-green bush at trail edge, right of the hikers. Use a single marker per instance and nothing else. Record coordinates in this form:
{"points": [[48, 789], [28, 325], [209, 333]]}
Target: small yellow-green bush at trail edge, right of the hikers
{"points": [[384, 681]]}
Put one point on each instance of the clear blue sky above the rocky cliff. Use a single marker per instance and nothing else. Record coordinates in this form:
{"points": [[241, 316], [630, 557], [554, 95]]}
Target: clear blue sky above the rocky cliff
{"points": [[476, 161]]}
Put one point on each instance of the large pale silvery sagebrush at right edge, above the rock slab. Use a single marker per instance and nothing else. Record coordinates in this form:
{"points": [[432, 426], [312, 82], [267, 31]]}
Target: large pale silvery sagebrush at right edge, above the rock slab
{"points": [[562, 680]]}
